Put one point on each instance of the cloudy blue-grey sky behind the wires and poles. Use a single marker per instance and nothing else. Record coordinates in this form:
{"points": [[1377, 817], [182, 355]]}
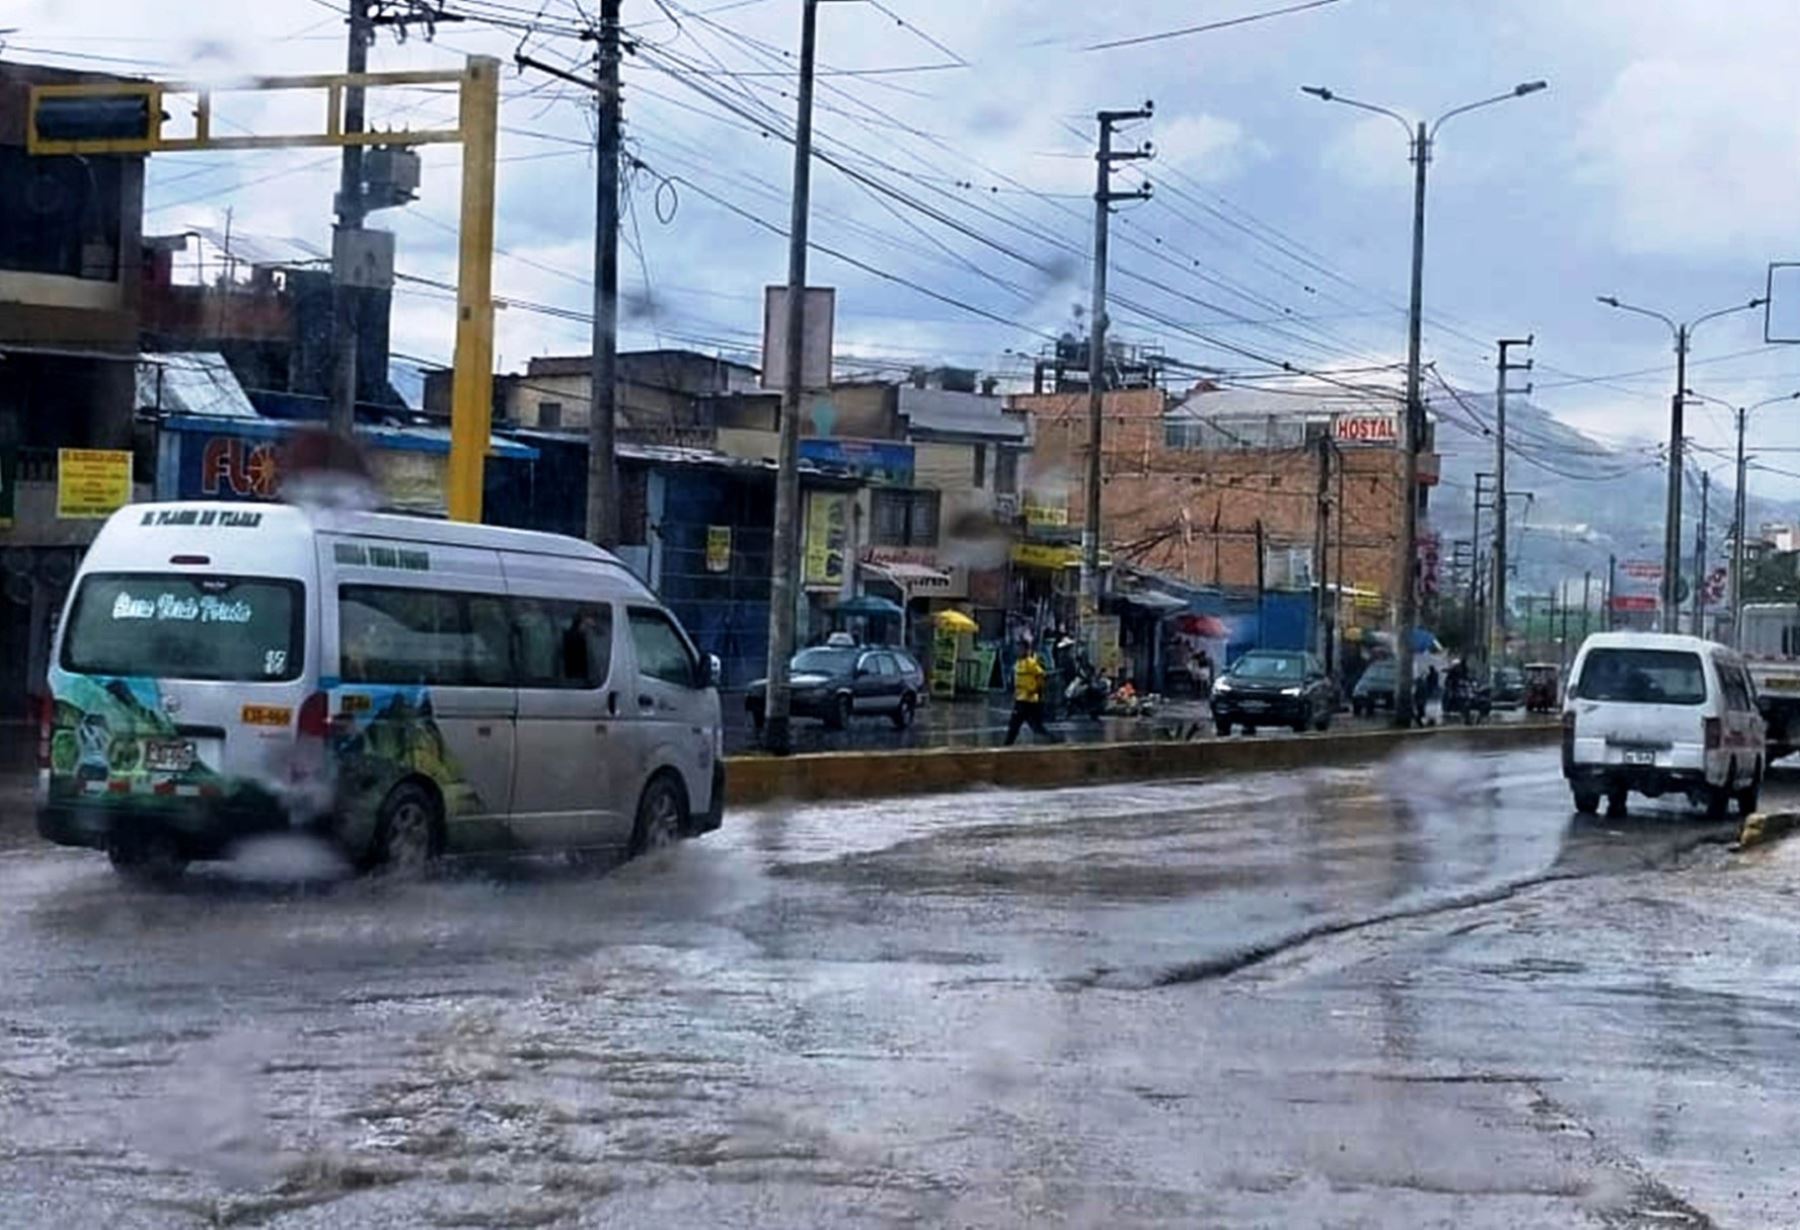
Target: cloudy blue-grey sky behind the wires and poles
{"points": [[1662, 167]]}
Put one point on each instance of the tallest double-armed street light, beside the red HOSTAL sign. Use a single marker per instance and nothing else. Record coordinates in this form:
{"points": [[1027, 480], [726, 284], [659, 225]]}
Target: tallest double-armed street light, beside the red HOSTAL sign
{"points": [[1419, 140]]}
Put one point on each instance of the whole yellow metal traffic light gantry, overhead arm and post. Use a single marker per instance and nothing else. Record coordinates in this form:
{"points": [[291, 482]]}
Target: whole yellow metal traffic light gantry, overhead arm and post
{"points": [[478, 132]]}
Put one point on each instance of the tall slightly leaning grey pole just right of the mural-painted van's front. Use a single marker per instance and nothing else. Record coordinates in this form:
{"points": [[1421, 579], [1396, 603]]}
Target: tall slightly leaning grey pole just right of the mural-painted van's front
{"points": [[786, 557]]}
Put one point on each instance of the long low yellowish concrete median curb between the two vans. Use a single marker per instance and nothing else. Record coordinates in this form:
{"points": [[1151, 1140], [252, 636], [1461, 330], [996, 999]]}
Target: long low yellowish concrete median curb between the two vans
{"points": [[840, 775]]}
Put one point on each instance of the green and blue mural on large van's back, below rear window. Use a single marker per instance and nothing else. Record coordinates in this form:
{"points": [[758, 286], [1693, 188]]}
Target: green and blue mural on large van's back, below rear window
{"points": [[112, 737]]}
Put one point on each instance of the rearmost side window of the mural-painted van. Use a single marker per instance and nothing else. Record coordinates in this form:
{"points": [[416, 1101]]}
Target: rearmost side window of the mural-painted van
{"points": [[422, 637]]}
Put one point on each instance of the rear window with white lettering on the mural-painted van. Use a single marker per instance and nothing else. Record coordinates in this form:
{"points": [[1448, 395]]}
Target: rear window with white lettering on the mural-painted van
{"points": [[186, 628]]}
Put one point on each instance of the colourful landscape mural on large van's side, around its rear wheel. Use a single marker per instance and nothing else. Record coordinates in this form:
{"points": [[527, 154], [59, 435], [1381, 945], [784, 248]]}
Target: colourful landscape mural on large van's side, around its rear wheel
{"points": [[388, 734]]}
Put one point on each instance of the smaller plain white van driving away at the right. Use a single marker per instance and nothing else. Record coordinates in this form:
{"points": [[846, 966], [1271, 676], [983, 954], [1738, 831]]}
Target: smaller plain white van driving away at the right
{"points": [[1662, 716]]}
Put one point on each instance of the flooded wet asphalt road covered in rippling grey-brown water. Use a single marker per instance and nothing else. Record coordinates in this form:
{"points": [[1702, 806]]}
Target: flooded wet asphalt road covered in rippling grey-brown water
{"points": [[1403, 997]]}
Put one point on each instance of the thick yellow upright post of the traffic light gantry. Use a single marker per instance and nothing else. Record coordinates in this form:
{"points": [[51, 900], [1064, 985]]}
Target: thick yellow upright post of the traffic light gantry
{"points": [[472, 381]]}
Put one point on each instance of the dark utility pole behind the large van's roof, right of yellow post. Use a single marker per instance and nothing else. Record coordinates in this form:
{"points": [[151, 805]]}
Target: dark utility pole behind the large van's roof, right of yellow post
{"points": [[604, 377]]}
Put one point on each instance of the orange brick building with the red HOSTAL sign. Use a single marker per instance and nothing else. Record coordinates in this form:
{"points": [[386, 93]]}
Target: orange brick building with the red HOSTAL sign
{"points": [[1192, 484]]}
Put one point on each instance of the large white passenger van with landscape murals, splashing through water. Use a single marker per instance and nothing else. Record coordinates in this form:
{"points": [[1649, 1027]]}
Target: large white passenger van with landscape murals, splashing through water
{"points": [[406, 687]]}
